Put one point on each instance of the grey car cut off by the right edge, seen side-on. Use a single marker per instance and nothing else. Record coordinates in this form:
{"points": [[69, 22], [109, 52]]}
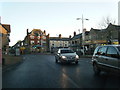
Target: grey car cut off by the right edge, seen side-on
{"points": [[106, 58]]}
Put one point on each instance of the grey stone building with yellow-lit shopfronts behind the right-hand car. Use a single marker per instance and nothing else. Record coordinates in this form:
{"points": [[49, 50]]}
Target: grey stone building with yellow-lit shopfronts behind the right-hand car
{"points": [[110, 35]]}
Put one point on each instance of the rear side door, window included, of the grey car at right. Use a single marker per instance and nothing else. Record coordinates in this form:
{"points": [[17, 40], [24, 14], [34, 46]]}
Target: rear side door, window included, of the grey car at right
{"points": [[112, 58]]}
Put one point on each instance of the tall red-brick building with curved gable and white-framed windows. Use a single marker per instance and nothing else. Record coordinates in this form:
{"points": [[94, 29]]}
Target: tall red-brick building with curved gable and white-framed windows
{"points": [[35, 41]]}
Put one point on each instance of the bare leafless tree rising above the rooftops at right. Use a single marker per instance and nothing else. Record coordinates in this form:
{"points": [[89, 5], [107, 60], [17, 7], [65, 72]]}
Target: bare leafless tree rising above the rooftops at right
{"points": [[106, 21]]}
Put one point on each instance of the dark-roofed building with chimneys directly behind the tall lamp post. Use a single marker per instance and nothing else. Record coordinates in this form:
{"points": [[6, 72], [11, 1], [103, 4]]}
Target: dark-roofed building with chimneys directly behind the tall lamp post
{"points": [[76, 42]]}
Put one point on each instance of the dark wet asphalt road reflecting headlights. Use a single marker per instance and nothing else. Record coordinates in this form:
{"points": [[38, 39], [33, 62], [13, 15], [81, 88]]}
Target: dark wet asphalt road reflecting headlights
{"points": [[41, 71]]}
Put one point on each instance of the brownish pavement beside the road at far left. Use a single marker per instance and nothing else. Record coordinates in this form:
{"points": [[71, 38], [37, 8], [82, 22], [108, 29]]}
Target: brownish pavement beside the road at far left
{"points": [[10, 60]]}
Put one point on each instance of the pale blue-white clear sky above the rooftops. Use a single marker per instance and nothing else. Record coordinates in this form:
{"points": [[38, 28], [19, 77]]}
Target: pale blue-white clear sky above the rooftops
{"points": [[56, 17]]}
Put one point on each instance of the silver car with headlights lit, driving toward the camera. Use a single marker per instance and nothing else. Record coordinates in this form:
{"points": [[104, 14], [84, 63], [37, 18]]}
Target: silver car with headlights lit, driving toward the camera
{"points": [[65, 55]]}
